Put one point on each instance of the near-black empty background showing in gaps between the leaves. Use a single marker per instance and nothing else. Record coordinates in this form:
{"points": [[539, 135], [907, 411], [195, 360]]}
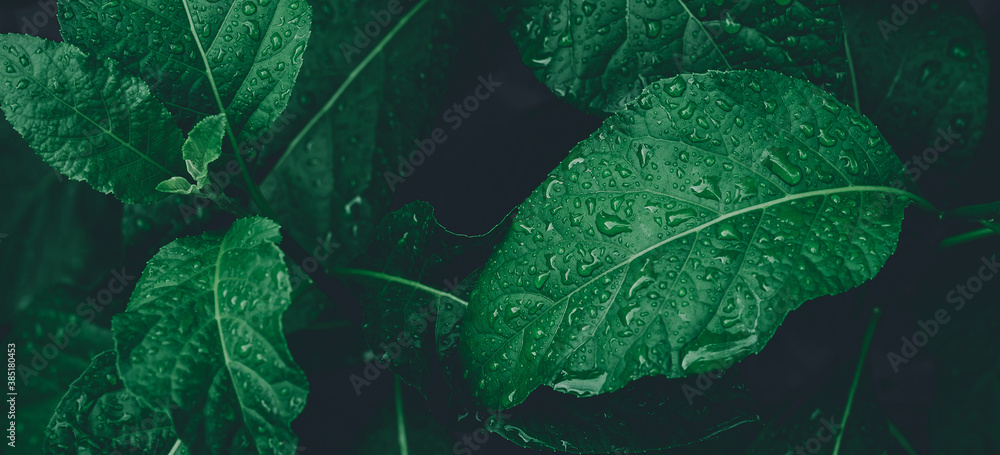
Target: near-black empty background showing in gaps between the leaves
{"points": [[508, 146]]}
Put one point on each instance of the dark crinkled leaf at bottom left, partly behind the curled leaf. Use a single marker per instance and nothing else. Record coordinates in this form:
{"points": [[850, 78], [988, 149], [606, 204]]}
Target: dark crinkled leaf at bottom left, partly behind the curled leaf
{"points": [[99, 415]]}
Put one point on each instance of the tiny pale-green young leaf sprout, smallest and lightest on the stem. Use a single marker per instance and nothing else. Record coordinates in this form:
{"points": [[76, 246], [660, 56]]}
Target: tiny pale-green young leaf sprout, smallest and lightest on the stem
{"points": [[203, 146]]}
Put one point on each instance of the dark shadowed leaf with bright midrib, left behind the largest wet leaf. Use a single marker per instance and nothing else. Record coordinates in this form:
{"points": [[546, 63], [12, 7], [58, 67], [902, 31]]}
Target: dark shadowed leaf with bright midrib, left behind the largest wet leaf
{"points": [[409, 284]]}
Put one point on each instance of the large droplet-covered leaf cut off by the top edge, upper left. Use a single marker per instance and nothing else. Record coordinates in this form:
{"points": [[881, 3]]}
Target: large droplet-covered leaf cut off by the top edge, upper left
{"points": [[244, 55]]}
